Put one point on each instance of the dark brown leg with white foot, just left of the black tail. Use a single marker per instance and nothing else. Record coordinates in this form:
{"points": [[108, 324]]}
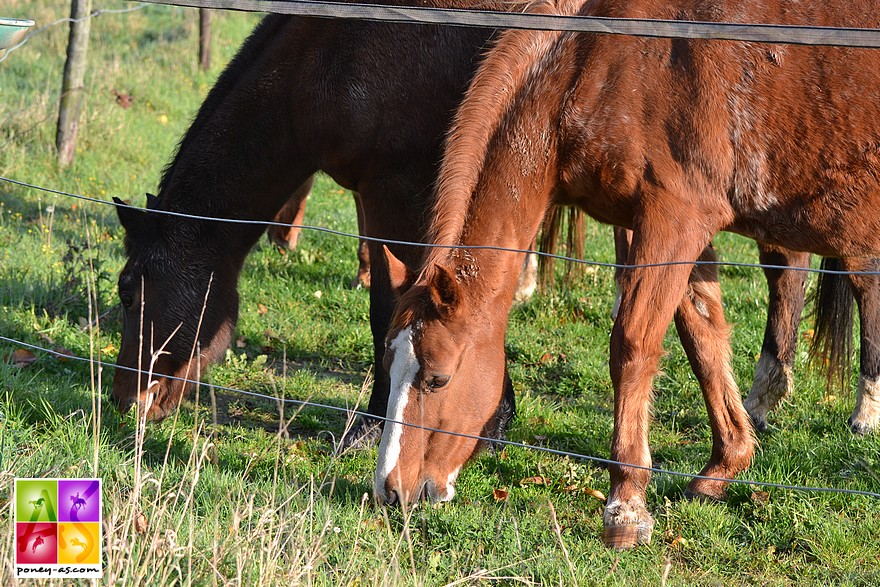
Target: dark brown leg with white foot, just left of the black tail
{"points": [[773, 375]]}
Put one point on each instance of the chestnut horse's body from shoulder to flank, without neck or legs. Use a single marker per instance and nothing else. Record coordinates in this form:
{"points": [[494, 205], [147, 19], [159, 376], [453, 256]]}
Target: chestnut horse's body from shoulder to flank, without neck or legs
{"points": [[776, 129]]}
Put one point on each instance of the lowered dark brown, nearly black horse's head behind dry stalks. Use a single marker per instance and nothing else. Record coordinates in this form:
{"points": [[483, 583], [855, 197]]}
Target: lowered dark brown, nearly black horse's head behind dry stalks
{"points": [[179, 304]]}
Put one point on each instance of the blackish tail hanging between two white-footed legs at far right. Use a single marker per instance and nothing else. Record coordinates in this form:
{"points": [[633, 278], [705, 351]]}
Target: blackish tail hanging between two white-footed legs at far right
{"points": [[833, 302]]}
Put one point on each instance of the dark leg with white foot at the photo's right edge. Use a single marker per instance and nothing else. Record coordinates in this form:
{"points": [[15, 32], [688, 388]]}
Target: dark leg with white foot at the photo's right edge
{"points": [[866, 416]]}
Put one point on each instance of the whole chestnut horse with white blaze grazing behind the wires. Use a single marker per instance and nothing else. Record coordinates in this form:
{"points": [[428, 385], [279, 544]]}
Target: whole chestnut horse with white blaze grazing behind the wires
{"points": [[675, 139]]}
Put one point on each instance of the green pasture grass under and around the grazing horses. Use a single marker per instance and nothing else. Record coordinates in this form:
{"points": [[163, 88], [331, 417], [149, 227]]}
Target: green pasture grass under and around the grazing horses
{"points": [[230, 500]]}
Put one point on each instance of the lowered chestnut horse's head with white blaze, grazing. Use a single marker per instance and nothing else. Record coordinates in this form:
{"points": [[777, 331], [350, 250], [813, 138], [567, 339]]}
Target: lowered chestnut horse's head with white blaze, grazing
{"points": [[440, 380]]}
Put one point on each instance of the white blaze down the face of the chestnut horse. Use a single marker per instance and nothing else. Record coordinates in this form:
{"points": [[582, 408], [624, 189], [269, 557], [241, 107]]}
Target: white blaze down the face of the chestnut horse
{"points": [[404, 369]]}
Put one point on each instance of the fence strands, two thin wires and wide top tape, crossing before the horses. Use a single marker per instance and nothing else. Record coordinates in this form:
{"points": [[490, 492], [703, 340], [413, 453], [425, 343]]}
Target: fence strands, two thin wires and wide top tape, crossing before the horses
{"points": [[847, 37]]}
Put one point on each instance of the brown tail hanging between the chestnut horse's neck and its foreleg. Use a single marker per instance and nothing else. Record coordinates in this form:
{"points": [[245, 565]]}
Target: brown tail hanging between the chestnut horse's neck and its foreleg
{"points": [[557, 222]]}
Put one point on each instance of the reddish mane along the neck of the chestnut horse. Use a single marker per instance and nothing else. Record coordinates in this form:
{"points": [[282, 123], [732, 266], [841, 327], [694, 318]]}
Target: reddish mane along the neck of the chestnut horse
{"points": [[491, 94]]}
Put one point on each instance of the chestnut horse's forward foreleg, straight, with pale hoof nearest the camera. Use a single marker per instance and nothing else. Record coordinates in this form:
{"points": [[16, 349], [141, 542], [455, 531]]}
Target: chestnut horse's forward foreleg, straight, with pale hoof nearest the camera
{"points": [[649, 297]]}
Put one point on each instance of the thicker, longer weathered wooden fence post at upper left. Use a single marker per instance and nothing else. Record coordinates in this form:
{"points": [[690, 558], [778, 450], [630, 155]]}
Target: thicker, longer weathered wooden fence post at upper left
{"points": [[72, 83]]}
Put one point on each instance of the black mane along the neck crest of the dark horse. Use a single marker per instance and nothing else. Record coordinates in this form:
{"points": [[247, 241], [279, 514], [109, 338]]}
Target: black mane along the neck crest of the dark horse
{"points": [[226, 82]]}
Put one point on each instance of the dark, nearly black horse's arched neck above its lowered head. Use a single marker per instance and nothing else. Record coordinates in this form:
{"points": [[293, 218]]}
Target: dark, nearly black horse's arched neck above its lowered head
{"points": [[236, 160]]}
